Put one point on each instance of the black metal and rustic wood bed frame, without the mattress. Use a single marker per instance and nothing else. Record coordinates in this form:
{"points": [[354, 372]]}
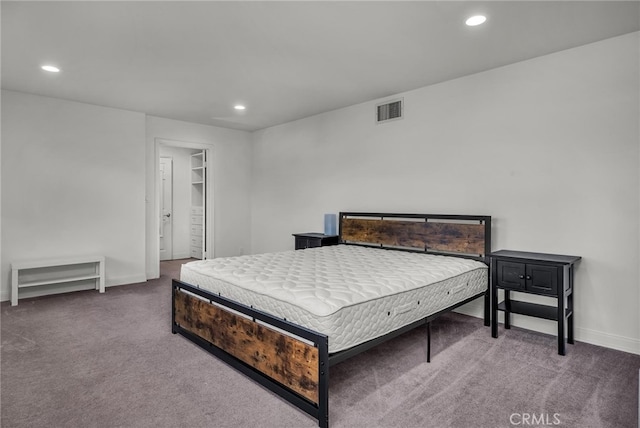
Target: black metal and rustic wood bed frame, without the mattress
{"points": [[293, 361]]}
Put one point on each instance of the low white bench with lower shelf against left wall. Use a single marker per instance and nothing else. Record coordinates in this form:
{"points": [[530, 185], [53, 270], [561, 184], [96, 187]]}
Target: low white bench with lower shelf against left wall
{"points": [[36, 273]]}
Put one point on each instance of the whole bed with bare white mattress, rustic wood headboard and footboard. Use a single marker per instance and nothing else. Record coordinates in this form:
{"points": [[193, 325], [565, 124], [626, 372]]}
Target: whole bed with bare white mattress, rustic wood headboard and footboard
{"points": [[284, 318]]}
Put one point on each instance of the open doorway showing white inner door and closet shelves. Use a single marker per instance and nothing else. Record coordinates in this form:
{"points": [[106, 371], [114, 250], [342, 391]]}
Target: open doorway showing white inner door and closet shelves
{"points": [[184, 201]]}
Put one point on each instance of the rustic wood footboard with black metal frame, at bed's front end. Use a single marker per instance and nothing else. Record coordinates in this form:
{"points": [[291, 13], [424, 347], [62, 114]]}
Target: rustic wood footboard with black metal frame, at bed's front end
{"points": [[288, 359]]}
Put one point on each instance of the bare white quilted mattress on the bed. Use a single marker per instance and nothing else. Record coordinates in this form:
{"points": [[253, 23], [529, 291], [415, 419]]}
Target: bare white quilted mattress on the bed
{"points": [[352, 294]]}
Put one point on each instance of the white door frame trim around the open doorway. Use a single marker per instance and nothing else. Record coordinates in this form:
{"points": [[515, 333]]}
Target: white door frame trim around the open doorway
{"points": [[209, 204]]}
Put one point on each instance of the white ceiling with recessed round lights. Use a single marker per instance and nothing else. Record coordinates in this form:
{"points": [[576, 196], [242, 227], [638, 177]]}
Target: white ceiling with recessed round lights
{"points": [[193, 61]]}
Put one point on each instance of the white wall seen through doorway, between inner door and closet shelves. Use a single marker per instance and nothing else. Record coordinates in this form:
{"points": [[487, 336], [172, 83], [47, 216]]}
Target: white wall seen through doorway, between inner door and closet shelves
{"points": [[181, 214]]}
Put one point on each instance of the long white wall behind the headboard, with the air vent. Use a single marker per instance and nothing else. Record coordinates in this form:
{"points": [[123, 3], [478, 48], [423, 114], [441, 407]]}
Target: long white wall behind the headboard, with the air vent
{"points": [[549, 147]]}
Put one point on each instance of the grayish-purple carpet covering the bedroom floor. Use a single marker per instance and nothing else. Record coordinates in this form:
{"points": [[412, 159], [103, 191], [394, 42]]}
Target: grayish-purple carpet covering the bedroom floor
{"points": [[90, 360]]}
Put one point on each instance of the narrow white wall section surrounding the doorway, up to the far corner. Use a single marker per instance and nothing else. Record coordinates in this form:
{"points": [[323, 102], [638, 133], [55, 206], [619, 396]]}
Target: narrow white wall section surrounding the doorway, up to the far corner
{"points": [[231, 167]]}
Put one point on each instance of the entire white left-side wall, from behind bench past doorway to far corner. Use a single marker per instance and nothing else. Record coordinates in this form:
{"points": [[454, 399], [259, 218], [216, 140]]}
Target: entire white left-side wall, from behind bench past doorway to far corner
{"points": [[75, 178]]}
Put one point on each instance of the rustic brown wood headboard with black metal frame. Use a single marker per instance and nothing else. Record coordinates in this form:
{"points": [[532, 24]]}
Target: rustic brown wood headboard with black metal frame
{"points": [[456, 235]]}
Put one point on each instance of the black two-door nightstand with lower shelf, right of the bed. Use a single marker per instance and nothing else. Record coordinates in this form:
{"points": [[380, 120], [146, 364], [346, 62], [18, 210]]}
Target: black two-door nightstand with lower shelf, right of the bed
{"points": [[534, 273]]}
